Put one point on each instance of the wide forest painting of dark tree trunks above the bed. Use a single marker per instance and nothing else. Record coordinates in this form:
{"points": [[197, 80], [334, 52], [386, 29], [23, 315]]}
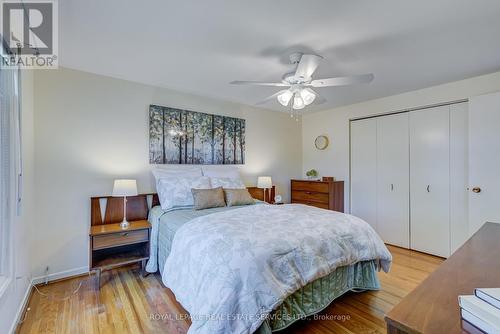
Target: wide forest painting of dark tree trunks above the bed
{"points": [[186, 137]]}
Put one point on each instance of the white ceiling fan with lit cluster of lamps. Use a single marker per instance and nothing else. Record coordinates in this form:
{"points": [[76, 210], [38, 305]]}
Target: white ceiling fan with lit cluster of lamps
{"points": [[300, 81]]}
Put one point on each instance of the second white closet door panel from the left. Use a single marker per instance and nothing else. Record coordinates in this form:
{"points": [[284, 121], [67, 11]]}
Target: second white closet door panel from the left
{"points": [[393, 179]]}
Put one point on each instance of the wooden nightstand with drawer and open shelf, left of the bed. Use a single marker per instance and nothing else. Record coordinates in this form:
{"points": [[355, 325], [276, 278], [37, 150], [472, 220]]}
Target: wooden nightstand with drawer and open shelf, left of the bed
{"points": [[111, 246]]}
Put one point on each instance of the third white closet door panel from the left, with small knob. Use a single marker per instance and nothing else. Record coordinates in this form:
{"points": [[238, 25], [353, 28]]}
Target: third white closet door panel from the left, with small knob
{"points": [[430, 180]]}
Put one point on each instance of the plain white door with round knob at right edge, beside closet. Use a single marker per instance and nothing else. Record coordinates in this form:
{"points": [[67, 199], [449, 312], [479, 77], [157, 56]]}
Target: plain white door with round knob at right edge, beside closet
{"points": [[484, 160]]}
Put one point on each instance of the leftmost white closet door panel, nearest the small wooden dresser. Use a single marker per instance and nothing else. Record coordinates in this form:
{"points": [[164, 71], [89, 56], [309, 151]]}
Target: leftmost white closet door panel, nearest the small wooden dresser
{"points": [[364, 170]]}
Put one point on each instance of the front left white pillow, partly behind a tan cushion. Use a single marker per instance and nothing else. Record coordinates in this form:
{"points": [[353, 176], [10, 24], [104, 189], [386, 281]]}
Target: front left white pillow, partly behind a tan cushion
{"points": [[175, 191]]}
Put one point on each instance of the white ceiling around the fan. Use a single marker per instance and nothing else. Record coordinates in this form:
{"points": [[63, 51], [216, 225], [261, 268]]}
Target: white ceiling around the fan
{"points": [[200, 46]]}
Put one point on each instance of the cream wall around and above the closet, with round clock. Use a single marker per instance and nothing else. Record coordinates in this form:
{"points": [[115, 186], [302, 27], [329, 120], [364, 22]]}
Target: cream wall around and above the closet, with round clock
{"points": [[334, 161]]}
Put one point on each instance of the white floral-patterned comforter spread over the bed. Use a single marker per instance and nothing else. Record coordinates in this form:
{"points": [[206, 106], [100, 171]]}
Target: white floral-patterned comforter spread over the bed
{"points": [[231, 269]]}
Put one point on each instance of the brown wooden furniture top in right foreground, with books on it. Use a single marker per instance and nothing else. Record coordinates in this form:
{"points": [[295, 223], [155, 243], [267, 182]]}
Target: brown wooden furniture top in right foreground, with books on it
{"points": [[433, 306]]}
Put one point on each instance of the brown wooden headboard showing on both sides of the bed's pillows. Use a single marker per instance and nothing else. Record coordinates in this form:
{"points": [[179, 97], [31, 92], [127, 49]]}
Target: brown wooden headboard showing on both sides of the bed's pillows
{"points": [[109, 210]]}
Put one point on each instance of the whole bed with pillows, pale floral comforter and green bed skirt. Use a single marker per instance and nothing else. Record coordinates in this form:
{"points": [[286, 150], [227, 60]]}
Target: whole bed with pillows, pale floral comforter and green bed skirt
{"points": [[254, 268]]}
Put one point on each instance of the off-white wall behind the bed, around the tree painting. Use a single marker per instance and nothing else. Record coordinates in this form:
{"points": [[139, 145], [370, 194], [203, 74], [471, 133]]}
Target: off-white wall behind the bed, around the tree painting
{"points": [[91, 129]]}
